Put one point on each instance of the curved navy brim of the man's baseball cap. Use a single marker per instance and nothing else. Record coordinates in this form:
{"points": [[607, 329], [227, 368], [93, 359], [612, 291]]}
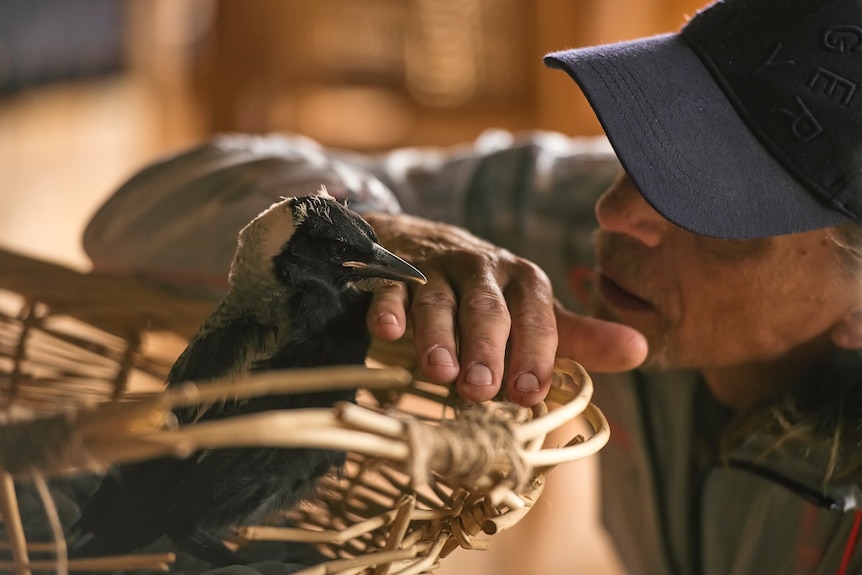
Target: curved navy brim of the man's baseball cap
{"points": [[684, 146]]}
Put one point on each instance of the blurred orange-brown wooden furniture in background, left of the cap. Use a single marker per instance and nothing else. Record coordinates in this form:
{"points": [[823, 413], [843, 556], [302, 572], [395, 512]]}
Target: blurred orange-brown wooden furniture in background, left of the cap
{"points": [[383, 73]]}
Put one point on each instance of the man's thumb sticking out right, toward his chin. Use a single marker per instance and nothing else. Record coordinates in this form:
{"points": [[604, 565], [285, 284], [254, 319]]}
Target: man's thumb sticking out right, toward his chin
{"points": [[600, 346]]}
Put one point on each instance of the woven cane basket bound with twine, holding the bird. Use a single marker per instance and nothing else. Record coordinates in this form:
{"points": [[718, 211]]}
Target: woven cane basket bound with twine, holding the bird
{"points": [[82, 361]]}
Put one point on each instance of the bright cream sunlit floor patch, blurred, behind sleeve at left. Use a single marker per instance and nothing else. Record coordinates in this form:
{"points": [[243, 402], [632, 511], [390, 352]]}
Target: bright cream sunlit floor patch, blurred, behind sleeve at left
{"points": [[62, 152]]}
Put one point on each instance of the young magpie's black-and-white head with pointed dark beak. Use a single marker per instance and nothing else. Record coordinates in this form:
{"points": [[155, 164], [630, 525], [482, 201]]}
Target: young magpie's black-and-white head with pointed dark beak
{"points": [[314, 241]]}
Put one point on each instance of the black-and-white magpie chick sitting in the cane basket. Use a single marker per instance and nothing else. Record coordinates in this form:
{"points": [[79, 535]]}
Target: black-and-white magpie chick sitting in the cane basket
{"points": [[300, 286]]}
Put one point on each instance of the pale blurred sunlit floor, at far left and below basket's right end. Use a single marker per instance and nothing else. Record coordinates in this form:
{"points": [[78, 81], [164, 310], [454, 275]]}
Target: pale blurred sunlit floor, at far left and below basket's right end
{"points": [[63, 151]]}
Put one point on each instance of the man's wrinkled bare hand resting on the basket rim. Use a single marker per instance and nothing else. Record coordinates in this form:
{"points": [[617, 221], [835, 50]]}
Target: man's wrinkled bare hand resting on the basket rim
{"points": [[487, 318]]}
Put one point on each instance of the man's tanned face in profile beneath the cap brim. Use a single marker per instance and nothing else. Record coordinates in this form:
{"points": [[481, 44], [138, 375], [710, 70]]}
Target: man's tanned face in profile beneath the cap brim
{"points": [[708, 303]]}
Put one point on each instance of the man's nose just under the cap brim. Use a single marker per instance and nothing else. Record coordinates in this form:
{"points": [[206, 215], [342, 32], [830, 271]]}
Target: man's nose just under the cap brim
{"points": [[623, 209]]}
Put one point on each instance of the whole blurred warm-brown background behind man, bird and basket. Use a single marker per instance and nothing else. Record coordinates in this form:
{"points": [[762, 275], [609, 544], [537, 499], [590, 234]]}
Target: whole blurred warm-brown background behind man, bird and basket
{"points": [[91, 90]]}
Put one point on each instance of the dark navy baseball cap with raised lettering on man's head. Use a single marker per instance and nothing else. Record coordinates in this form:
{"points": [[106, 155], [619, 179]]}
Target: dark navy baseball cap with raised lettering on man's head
{"points": [[745, 124]]}
